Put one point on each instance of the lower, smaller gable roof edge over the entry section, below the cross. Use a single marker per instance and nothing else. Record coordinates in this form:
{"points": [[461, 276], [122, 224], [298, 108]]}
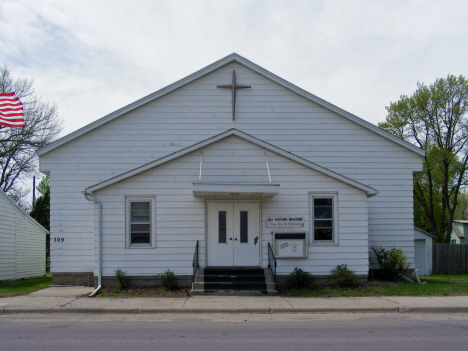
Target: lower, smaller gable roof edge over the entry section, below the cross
{"points": [[368, 190]]}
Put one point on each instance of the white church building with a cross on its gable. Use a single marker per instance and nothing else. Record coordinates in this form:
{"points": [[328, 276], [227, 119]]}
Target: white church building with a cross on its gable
{"points": [[229, 168]]}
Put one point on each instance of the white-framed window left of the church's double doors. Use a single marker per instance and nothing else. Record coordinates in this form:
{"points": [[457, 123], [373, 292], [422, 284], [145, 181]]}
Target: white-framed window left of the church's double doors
{"points": [[140, 222]]}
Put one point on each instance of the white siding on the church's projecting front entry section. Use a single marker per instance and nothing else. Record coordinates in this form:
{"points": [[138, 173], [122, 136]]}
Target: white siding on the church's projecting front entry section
{"points": [[180, 216]]}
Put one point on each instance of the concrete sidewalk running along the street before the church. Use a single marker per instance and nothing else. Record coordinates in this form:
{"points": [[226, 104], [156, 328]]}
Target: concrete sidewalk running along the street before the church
{"points": [[75, 300]]}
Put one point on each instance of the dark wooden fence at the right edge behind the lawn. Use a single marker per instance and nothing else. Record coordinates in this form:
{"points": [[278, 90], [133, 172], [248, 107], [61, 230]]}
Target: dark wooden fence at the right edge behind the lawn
{"points": [[449, 258]]}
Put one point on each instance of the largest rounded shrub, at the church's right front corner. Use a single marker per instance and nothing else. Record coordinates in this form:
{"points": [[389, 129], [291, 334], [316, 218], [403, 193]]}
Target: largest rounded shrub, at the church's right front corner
{"points": [[392, 263]]}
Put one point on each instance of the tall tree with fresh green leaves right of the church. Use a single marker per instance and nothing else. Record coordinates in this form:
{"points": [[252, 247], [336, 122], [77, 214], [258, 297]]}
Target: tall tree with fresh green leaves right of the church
{"points": [[435, 119]]}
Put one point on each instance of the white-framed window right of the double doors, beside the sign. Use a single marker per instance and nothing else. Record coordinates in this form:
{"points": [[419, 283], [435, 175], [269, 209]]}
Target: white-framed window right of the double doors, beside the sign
{"points": [[323, 219]]}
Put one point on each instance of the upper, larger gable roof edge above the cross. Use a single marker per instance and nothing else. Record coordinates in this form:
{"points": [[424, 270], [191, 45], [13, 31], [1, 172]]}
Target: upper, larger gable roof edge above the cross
{"points": [[210, 68]]}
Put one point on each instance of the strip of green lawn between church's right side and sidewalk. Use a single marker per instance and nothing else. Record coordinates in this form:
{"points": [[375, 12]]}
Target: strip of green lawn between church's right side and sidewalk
{"points": [[434, 286]]}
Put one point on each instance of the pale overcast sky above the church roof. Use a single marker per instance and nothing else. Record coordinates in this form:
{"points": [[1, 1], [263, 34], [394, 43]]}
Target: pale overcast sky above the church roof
{"points": [[93, 57]]}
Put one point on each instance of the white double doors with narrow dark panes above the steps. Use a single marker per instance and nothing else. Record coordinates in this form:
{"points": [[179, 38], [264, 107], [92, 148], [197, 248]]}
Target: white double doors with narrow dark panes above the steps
{"points": [[233, 234]]}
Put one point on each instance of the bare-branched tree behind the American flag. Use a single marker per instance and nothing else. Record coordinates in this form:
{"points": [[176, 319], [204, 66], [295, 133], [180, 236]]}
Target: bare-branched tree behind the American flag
{"points": [[18, 145]]}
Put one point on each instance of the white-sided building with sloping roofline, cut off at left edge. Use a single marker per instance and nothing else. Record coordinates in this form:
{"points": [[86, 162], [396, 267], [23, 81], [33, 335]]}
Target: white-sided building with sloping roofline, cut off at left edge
{"points": [[22, 243]]}
